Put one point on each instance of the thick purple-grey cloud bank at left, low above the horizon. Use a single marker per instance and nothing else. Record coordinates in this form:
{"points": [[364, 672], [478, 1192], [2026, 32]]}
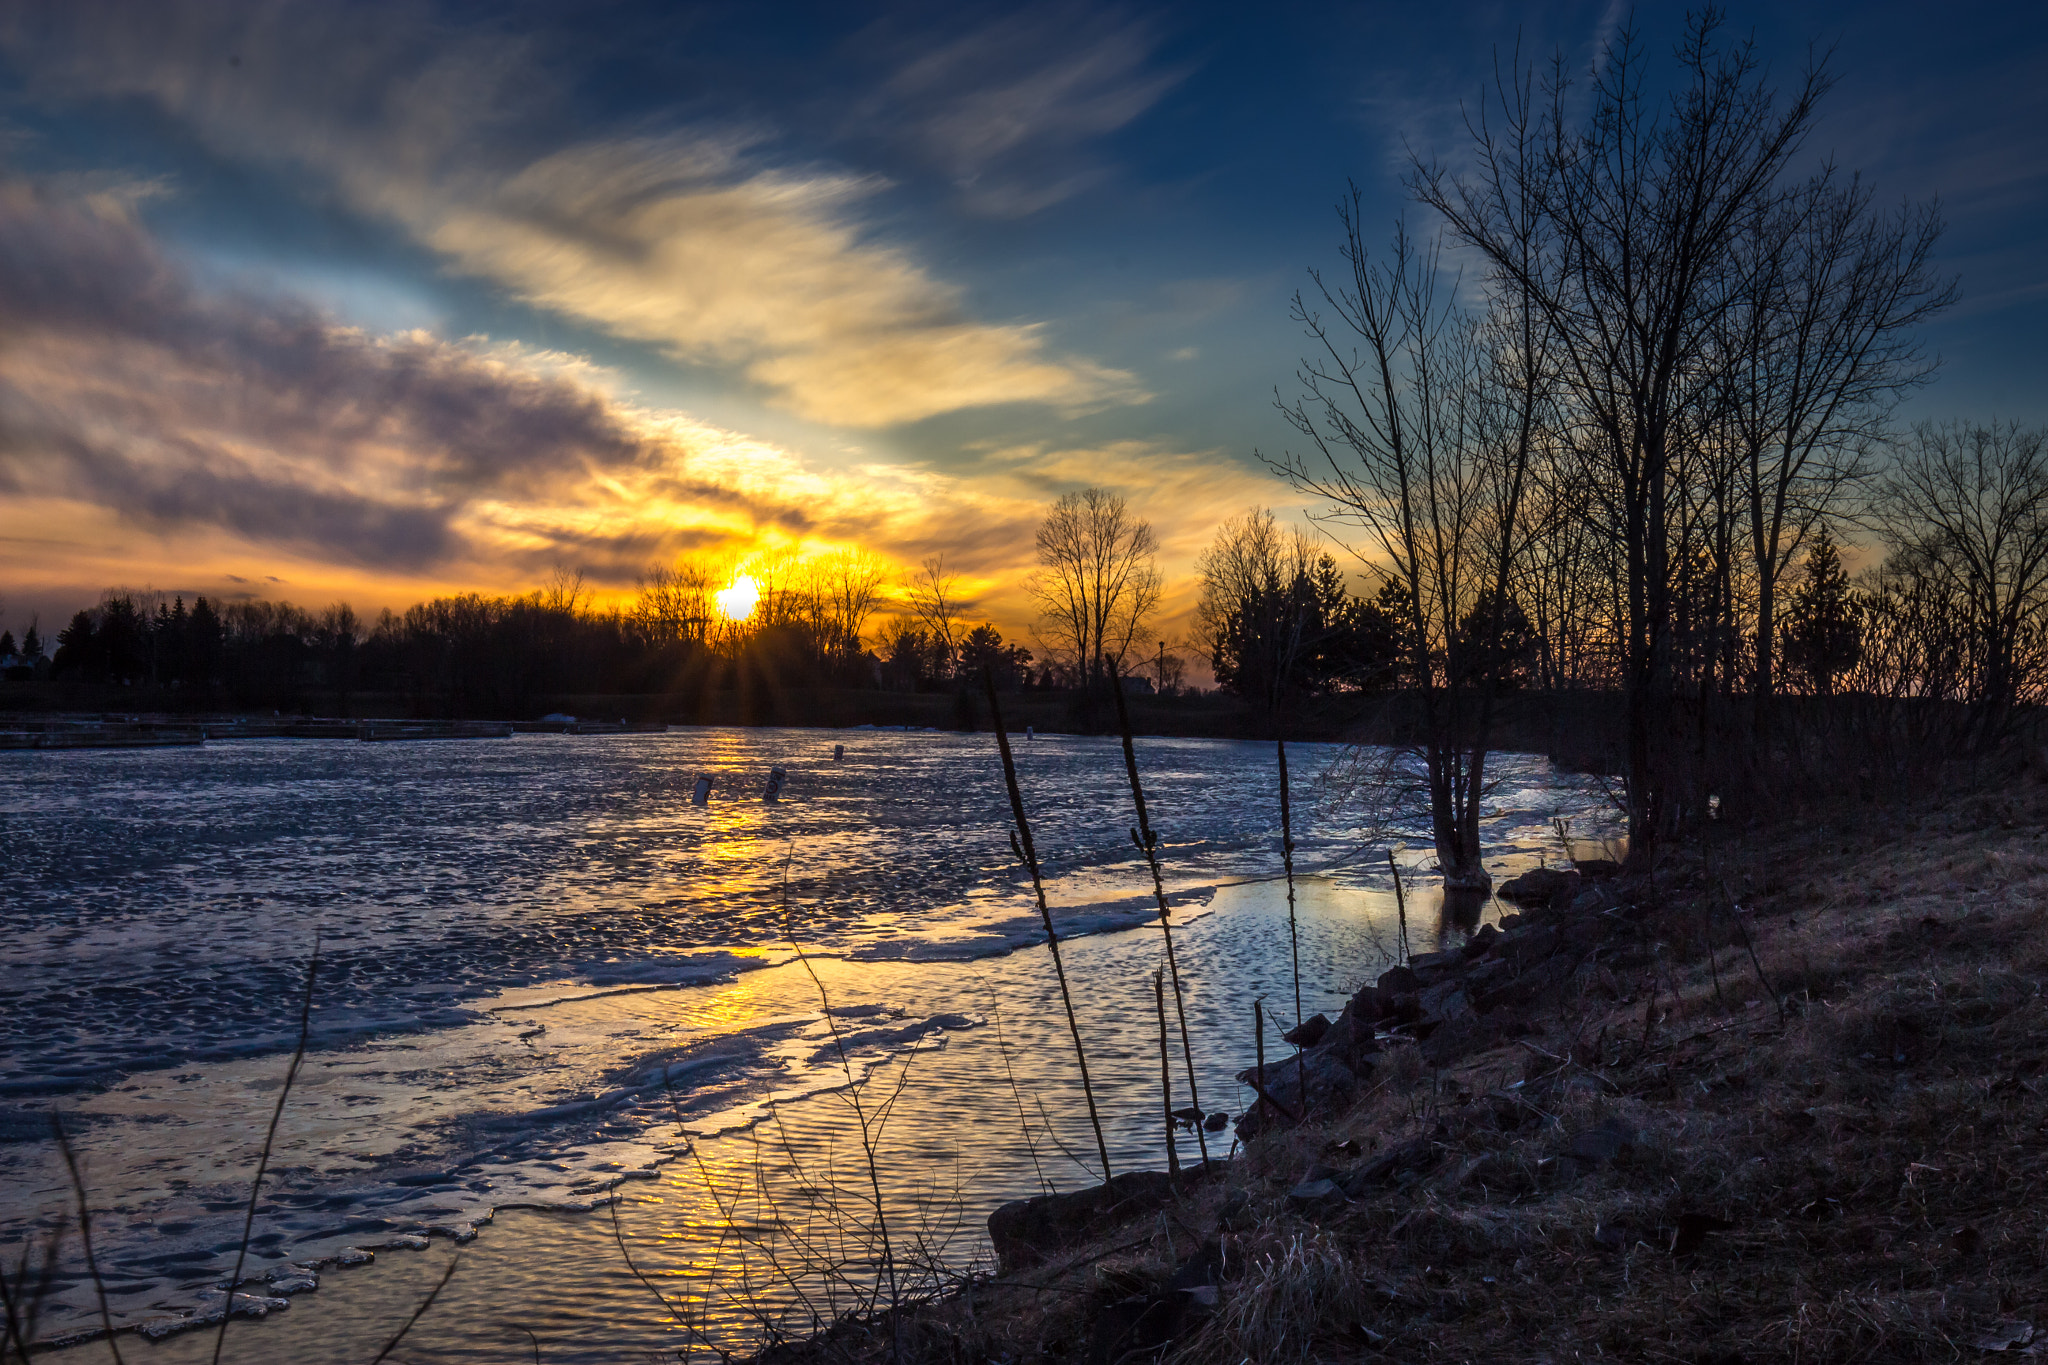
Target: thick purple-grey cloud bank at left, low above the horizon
{"points": [[126, 386]]}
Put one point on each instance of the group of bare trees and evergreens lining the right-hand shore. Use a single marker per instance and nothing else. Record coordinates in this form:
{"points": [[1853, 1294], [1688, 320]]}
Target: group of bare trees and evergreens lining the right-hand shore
{"points": [[1623, 449]]}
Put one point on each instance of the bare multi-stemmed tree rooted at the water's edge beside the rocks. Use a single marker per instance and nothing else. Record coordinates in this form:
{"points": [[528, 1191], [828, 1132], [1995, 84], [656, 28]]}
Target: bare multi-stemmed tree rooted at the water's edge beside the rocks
{"points": [[1422, 427]]}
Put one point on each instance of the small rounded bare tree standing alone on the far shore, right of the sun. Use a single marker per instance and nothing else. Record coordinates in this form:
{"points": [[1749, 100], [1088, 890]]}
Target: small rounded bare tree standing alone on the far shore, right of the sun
{"points": [[1097, 582]]}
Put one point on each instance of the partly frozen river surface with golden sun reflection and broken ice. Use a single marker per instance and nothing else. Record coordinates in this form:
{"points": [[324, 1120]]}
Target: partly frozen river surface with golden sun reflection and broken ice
{"points": [[560, 1024]]}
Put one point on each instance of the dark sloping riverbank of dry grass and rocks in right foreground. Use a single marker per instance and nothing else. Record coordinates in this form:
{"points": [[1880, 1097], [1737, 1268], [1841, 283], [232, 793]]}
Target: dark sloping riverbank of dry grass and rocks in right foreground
{"points": [[1783, 1102]]}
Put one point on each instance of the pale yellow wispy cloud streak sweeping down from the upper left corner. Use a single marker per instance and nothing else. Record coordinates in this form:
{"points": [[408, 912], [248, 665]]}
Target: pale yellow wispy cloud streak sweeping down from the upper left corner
{"points": [[687, 240]]}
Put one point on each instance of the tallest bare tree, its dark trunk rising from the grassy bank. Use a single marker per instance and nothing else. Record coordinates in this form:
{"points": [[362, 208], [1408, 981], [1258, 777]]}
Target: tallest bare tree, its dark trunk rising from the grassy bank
{"points": [[1623, 228]]}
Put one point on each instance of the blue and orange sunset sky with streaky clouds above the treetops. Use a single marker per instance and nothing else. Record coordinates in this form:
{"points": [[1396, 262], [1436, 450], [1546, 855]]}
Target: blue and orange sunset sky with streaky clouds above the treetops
{"points": [[376, 302]]}
